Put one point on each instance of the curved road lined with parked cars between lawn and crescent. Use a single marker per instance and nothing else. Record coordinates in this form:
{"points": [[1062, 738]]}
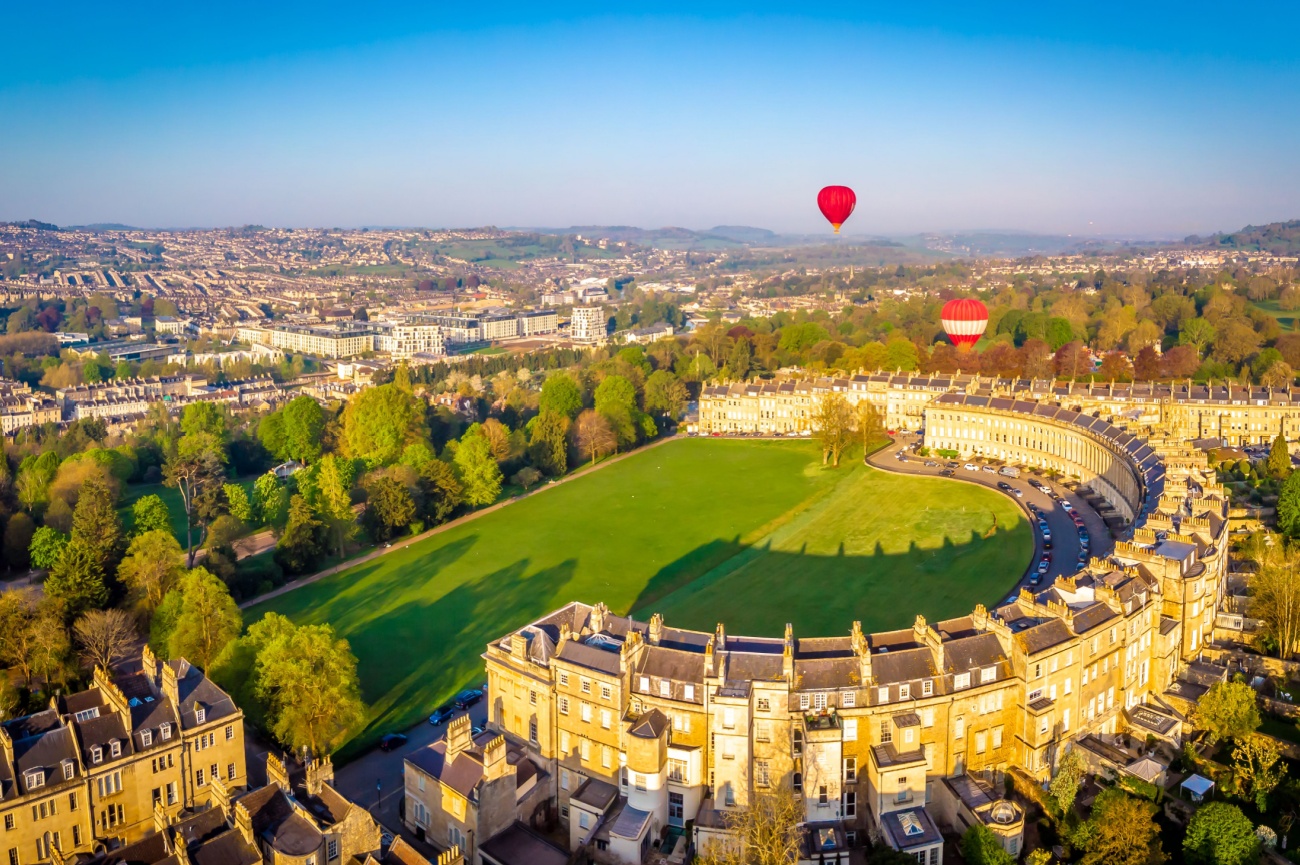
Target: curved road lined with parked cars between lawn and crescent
{"points": [[1067, 530]]}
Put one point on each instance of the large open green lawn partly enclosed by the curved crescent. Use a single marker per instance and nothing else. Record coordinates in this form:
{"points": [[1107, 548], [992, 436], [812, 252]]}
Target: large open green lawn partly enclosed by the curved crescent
{"points": [[755, 534]]}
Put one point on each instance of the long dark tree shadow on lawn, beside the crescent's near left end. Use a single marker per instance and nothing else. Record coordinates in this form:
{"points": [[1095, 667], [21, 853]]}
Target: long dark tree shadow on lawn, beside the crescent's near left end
{"points": [[419, 655]]}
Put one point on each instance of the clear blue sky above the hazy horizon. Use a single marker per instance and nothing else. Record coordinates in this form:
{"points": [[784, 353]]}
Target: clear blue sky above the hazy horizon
{"points": [[1090, 119]]}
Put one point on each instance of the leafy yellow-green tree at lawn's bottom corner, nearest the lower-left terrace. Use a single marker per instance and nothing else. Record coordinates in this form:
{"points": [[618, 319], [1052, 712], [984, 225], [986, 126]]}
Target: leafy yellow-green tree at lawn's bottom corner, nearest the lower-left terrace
{"points": [[307, 680]]}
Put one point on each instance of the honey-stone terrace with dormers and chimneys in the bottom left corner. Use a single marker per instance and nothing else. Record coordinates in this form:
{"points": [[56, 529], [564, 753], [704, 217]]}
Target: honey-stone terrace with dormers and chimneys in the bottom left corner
{"points": [[98, 768]]}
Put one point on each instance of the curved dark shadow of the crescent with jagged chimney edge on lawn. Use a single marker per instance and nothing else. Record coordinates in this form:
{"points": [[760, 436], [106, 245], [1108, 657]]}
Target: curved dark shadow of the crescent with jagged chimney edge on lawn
{"points": [[759, 590]]}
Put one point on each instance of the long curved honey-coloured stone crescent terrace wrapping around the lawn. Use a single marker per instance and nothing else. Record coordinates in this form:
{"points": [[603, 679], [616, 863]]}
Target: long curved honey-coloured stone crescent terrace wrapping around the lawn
{"points": [[636, 729]]}
